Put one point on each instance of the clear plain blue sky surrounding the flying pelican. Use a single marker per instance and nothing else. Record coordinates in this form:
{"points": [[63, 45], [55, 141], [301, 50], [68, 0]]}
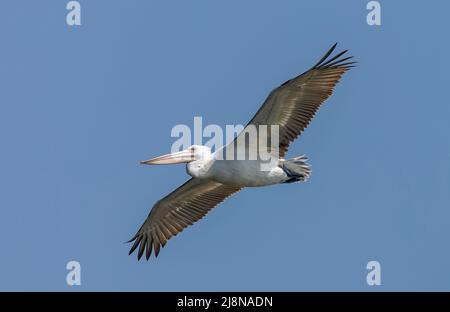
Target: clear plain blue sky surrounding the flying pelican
{"points": [[80, 106]]}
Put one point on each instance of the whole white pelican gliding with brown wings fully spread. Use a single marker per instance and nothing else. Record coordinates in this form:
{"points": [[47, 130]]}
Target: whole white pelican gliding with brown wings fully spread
{"points": [[291, 107]]}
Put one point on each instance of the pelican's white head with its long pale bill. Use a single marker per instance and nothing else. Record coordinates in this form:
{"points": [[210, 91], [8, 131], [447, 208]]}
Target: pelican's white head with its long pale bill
{"points": [[192, 153]]}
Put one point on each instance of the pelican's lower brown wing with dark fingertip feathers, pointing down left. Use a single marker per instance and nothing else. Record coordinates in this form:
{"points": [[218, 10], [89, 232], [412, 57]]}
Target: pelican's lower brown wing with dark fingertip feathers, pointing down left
{"points": [[173, 213]]}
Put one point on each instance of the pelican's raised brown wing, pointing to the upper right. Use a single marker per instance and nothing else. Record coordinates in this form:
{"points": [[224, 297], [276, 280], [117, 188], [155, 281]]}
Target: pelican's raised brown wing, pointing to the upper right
{"points": [[292, 105]]}
